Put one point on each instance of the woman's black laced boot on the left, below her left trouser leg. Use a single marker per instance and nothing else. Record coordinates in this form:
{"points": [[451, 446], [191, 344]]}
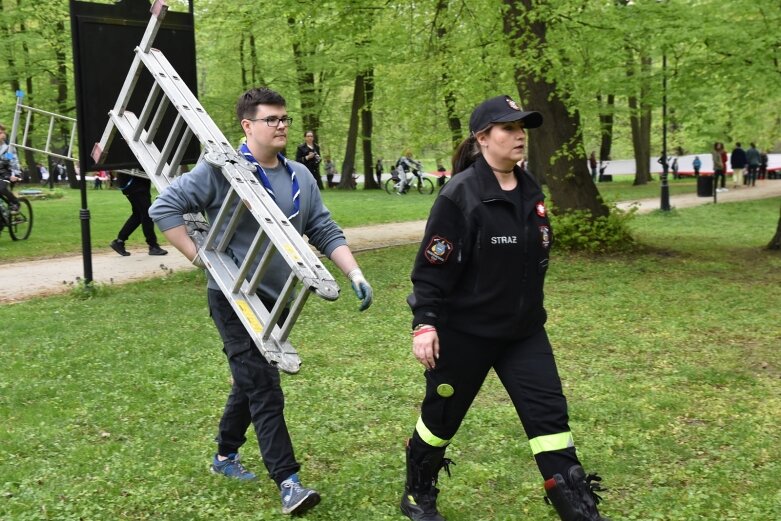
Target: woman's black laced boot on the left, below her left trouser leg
{"points": [[419, 501]]}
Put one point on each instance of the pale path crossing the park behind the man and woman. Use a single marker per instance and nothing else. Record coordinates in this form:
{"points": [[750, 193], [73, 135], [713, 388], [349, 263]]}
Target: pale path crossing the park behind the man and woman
{"points": [[25, 280]]}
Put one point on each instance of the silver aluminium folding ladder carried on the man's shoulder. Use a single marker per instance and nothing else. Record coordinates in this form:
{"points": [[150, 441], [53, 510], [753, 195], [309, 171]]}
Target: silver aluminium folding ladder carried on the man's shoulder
{"points": [[275, 232]]}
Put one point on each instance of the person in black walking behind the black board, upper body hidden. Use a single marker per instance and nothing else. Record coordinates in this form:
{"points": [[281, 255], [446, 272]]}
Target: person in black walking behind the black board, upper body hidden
{"points": [[139, 195]]}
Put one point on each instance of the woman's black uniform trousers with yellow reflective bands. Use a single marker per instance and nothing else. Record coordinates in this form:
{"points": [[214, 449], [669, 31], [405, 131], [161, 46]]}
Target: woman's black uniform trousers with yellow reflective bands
{"points": [[527, 370]]}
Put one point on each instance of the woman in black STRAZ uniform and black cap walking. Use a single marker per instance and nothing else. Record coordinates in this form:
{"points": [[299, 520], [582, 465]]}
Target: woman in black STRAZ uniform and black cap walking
{"points": [[477, 303]]}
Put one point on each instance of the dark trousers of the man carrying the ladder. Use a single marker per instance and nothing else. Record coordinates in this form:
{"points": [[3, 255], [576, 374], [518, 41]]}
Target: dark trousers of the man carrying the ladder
{"points": [[256, 396]]}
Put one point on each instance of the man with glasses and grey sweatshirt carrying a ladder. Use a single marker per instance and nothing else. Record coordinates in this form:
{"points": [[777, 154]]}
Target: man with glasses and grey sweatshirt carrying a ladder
{"points": [[256, 396]]}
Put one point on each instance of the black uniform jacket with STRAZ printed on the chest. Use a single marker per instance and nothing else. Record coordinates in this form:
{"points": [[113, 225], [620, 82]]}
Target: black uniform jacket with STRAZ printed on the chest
{"points": [[482, 262]]}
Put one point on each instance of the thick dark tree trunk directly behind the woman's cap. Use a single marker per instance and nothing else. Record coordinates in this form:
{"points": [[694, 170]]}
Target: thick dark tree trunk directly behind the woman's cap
{"points": [[557, 148]]}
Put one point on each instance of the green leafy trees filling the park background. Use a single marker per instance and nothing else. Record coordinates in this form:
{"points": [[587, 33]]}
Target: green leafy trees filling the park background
{"points": [[374, 78]]}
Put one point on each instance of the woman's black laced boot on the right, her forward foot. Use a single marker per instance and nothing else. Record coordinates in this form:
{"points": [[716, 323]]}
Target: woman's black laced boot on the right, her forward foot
{"points": [[575, 499]]}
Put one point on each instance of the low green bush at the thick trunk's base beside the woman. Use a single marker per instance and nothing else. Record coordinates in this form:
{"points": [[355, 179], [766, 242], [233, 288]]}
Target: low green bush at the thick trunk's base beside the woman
{"points": [[580, 231]]}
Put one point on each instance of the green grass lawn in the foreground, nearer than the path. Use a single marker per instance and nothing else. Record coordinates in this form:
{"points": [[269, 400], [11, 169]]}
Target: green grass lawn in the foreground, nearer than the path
{"points": [[669, 359]]}
